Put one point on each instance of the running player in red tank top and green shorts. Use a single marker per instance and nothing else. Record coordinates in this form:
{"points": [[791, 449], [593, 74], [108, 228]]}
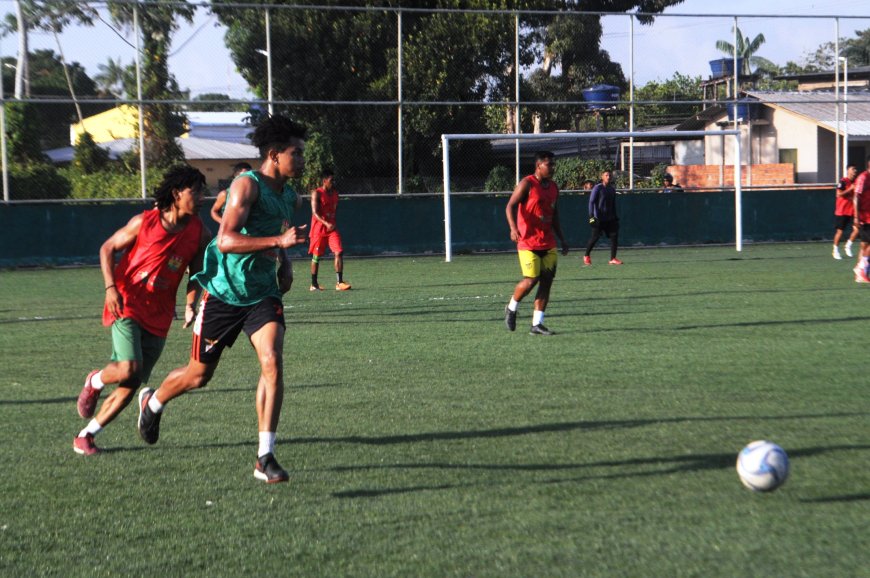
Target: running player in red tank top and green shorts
{"points": [[156, 247]]}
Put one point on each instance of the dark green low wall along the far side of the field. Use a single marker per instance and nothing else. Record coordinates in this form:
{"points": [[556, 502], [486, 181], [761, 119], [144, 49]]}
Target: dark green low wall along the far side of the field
{"points": [[61, 234]]}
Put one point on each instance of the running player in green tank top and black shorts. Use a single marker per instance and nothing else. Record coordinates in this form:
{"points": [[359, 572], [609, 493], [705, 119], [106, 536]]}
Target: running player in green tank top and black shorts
{"points": [[242, 291]]}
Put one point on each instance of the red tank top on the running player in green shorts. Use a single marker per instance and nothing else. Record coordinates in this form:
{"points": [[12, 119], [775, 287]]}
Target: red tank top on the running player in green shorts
{"points": [[148, 275]]}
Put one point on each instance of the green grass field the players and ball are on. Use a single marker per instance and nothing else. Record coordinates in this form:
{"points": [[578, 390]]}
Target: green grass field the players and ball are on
{"points": [[424, 439]]}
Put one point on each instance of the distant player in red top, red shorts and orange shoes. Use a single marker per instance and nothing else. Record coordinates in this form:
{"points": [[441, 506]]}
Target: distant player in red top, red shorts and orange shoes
{"points": [[324, 203]]}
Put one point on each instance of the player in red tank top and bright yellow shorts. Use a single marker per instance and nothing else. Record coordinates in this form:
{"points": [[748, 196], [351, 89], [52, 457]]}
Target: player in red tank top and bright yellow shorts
{"points": [[533, 218]]}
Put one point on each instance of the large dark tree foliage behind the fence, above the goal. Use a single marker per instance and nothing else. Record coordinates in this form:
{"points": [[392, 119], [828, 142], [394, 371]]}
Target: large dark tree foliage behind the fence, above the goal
{"points": [[447, 56]]}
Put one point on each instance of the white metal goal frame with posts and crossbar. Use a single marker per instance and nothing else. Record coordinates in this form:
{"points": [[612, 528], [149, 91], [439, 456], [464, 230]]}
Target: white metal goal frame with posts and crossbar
{"points": [[446, 139]]}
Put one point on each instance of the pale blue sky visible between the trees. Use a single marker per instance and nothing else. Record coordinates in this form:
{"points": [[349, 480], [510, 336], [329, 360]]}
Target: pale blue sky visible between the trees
{"points": [[202, 64]]}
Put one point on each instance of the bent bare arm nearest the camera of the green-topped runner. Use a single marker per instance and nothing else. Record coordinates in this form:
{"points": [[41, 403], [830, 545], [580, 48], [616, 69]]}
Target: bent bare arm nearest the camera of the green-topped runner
{"points": [[243, 194]]}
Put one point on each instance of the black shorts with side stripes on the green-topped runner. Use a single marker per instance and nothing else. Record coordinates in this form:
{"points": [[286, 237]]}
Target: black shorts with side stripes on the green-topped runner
{"points": [[218, 324]]}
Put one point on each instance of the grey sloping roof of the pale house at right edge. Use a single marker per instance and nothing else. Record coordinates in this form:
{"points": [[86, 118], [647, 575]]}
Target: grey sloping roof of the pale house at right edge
{"points": [[819, 107]]}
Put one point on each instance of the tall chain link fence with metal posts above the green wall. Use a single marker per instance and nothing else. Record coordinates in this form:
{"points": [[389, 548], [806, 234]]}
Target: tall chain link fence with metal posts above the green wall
{"points": [[151, 83]]}
